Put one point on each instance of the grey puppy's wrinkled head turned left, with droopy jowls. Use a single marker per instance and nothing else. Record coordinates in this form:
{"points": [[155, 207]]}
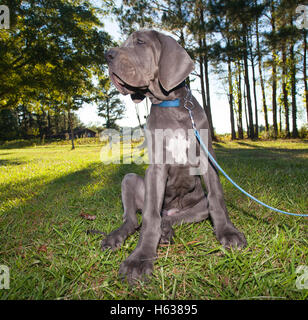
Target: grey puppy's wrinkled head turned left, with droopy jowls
{"points": [[148, 63]]}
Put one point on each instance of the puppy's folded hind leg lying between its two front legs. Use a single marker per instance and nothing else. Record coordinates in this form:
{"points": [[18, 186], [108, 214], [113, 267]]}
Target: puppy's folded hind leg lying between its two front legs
{"points": [[196, 213]]}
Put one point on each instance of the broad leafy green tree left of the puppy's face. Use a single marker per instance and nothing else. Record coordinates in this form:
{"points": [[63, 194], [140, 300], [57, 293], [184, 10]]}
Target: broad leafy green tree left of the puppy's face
{"points": [[51, 54]]}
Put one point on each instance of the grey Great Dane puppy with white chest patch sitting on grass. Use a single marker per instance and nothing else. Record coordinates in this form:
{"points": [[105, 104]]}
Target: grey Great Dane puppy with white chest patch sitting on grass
{"points": [[151, 64]]}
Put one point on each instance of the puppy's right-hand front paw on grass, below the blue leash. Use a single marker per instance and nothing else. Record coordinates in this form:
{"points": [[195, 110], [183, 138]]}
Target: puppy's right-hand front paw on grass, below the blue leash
{"points": [[230, 237]]}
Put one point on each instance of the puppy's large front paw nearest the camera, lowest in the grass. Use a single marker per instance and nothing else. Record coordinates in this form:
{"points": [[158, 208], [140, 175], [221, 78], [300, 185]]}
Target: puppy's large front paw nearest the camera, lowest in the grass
{"points": [[137, 267]]}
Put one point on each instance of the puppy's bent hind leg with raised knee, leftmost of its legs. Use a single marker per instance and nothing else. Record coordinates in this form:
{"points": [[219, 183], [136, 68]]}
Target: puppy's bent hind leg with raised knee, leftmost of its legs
{"points": [[132, 198]]}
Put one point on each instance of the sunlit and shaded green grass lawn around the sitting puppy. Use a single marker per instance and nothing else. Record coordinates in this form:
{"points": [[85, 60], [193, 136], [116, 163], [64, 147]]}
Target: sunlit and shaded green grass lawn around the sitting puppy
{"points": [[44, 189]]}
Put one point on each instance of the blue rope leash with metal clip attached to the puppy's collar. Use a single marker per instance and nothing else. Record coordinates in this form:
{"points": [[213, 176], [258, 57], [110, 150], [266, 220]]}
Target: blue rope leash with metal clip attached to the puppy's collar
{"points": [[224, 173]]}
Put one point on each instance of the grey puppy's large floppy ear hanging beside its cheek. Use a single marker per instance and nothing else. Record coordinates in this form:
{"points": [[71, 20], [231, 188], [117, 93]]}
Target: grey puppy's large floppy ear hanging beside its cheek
{"points": [[174, 64]]}
